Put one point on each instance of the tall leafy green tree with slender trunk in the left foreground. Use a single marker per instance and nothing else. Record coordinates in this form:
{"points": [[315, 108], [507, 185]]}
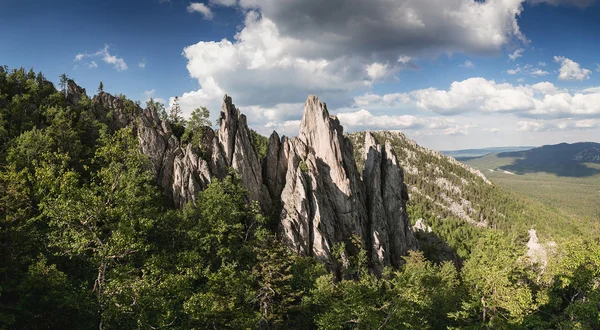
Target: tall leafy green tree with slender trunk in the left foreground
{"points": [[107, 221]]}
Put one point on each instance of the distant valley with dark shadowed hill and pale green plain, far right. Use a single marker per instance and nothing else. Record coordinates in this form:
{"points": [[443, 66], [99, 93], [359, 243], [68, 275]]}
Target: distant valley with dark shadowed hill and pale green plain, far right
{"points": [[546, 180]]}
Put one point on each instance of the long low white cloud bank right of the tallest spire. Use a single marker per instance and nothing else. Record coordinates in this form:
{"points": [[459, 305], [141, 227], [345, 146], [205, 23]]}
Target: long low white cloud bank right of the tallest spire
{"points": [[542, 100]]}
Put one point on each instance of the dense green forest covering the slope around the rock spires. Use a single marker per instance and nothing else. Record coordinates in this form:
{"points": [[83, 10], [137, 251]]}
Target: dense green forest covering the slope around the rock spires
{"points": [[88, 241]]}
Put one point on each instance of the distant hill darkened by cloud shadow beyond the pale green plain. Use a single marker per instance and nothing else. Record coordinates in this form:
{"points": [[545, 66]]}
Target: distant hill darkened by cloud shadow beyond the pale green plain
{"points": [[561, 159]]}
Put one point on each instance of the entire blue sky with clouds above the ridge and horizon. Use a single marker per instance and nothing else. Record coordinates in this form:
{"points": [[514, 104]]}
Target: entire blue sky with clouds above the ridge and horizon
{"points": [[450, 74]]}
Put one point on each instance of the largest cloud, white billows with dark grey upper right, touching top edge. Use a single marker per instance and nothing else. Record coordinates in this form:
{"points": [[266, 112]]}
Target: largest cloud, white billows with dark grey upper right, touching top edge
{"points": [[285, 50]]}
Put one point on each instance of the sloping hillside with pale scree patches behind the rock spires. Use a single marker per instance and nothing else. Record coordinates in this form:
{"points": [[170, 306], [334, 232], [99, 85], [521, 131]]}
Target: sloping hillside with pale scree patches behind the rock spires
{"points": [[440, 186]]}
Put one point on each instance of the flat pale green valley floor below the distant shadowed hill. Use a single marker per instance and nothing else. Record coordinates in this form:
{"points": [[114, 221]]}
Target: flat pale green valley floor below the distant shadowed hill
{"points": [[574, 196]]}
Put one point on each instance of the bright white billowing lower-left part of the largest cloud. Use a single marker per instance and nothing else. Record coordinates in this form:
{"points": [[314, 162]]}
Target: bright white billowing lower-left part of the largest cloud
{"points": [[261, 67]]}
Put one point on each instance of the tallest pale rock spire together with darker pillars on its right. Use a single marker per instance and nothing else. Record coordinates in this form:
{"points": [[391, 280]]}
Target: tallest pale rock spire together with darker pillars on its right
{"points": [[325, 202]]}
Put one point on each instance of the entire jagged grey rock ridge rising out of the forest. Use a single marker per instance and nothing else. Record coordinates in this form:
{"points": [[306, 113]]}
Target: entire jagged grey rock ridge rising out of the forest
{"points": [[314, 177]]}
